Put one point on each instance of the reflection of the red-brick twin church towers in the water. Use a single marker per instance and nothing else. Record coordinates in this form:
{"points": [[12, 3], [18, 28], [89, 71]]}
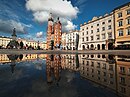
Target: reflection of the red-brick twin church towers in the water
{"points": [[53, 68]]}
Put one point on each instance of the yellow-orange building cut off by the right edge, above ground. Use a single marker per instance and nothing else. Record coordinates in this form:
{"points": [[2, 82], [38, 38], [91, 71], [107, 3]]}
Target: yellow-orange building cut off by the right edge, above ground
{"points": [[122, 26]]}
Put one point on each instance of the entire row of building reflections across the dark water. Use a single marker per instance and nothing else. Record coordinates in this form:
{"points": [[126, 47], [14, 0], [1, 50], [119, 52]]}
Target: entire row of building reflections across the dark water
{"points": [[109, 71]]}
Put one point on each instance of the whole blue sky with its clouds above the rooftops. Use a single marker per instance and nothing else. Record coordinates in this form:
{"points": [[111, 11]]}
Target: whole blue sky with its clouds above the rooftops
{"points": [[30, 17]]}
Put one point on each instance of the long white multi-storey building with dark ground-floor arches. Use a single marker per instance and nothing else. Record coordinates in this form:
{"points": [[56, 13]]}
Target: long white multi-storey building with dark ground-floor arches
{"points": [[97, 34]]}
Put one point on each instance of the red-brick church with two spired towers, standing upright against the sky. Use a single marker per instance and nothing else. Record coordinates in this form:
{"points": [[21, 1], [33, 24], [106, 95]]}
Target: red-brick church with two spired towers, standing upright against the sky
{"points": [[54, 32]]}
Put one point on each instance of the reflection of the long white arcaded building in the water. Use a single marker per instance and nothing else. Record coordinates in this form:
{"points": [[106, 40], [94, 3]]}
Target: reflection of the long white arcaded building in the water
{"points": [[99, 70]]}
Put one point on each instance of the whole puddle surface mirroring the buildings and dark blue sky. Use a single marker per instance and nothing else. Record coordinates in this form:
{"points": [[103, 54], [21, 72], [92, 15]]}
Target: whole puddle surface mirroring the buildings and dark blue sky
{"points": [[65, 75]]}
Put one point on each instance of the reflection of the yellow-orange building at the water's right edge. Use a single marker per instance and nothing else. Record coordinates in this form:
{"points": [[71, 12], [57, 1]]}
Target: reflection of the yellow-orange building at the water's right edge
{"points": [[123, 75]]}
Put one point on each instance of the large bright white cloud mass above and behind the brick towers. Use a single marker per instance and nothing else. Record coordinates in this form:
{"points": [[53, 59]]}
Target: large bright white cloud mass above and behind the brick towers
{"points": [[62, 8]]}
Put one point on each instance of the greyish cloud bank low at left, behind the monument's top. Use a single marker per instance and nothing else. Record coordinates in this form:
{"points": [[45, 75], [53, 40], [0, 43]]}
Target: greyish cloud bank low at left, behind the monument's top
{"points": [[8, 25]]}
